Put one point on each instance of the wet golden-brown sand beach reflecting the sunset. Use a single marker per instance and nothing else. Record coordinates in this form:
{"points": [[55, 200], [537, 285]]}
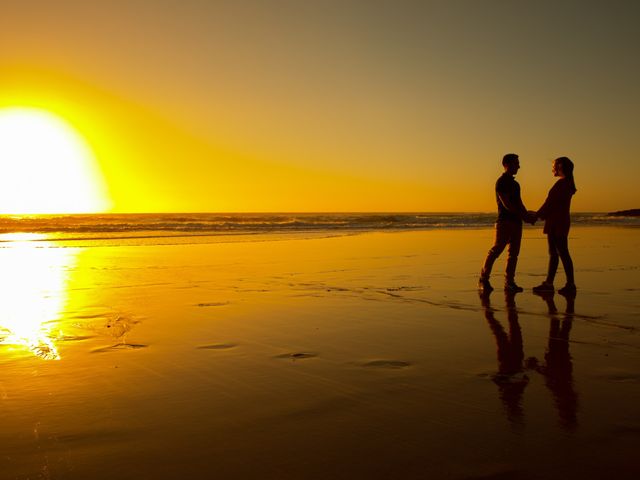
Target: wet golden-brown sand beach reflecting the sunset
{"points": [[367, 356]]}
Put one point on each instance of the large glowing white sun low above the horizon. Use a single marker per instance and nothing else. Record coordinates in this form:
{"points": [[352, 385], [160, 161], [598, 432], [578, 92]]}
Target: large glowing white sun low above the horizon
{"points": [[46, 166]]}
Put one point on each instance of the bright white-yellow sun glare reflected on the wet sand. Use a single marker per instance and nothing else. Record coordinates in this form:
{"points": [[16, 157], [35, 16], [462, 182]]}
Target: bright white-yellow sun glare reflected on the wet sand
{"points": [[33, 293]]}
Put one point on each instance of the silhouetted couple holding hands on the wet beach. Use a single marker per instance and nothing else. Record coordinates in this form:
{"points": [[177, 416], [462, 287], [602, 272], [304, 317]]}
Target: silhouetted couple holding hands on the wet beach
{"points": [[511, 214]]}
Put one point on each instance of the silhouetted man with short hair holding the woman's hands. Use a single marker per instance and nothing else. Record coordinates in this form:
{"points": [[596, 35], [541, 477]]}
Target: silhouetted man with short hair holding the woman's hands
{"points": [[511, 213]]}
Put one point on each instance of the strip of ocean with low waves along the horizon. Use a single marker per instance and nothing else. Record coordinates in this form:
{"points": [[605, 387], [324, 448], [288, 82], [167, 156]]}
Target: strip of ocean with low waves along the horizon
{"points": [[150, 225]]}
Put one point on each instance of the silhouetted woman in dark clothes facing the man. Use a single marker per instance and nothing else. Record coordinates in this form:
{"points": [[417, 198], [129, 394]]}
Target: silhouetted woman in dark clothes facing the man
{"points": [[555, 212]]}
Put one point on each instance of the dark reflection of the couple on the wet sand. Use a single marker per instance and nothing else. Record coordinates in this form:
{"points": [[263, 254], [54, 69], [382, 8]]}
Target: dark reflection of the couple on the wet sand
{"points": [[556, 369]]}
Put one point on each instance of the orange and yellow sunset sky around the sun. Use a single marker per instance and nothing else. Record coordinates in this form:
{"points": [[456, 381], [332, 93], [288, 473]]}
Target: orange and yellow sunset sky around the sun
{"points": [[198, 105]]}
